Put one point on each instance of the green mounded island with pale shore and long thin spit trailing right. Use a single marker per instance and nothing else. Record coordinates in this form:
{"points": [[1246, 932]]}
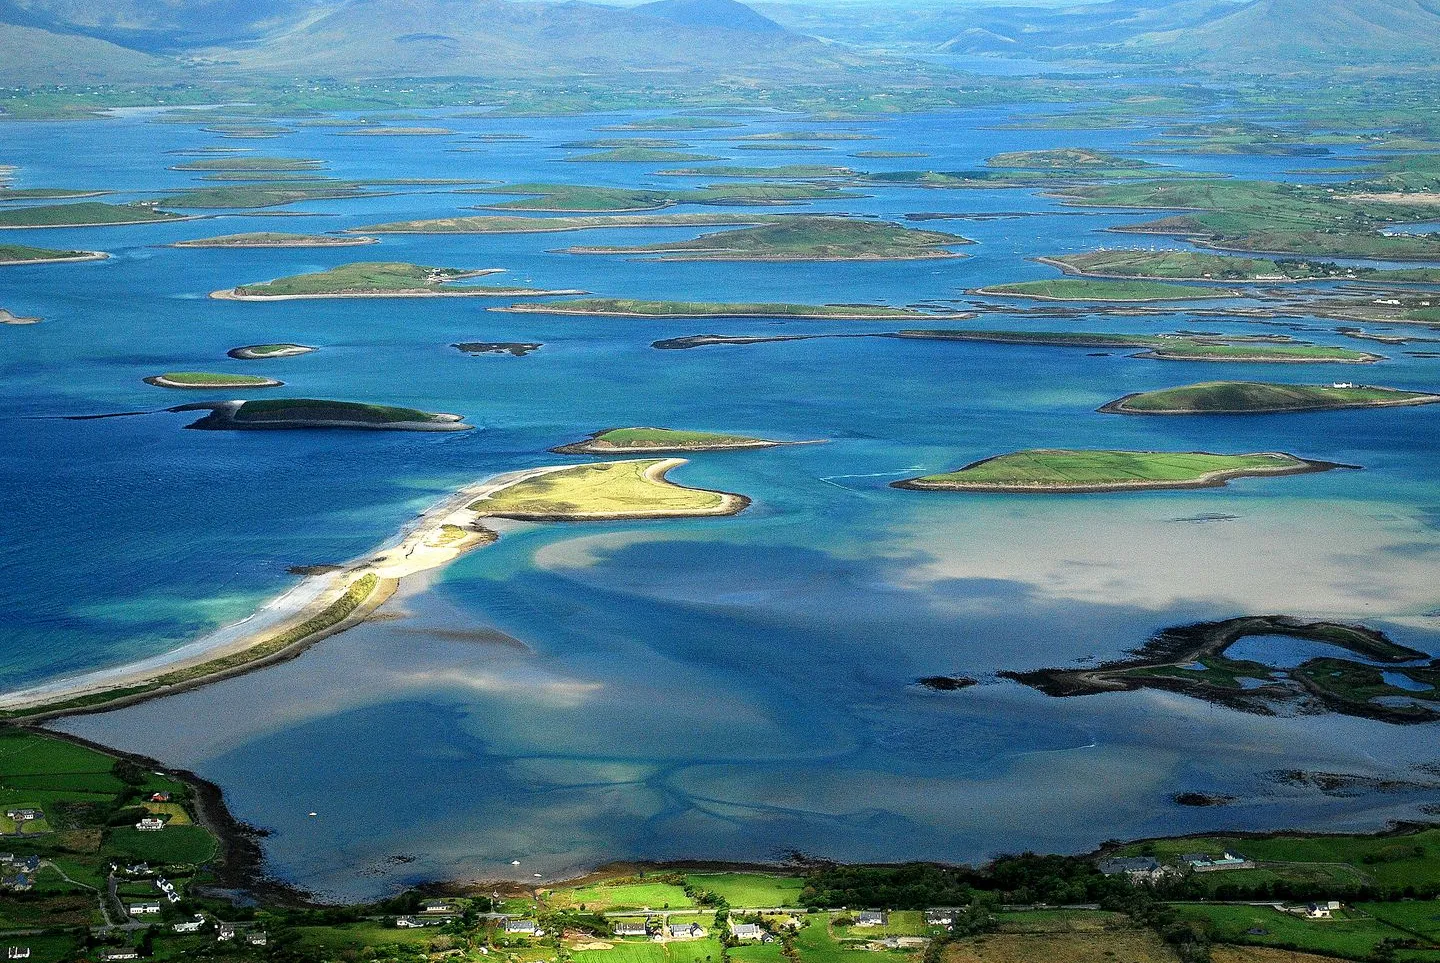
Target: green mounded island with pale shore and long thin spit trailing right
{"points": [[378, 280]]}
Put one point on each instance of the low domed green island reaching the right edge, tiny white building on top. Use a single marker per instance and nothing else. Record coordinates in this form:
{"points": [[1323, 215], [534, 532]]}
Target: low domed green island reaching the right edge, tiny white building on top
{"points": [[1258, 398]]}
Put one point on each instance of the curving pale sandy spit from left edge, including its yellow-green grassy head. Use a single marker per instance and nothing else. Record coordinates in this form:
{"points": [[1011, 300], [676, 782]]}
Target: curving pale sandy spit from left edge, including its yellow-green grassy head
{"points": [[336, 600]]}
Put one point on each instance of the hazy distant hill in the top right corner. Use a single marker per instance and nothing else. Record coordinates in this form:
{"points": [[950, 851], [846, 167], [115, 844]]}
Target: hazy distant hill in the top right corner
{"points": [[1285, 32]]}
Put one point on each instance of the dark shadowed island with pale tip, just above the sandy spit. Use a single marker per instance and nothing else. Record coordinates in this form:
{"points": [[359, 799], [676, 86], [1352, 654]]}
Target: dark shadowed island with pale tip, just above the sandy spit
{"points": [[303, 412]]}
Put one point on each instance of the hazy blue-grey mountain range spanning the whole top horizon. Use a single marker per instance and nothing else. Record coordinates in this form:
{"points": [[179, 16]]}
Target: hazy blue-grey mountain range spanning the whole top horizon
{"points": [[83, 42]]}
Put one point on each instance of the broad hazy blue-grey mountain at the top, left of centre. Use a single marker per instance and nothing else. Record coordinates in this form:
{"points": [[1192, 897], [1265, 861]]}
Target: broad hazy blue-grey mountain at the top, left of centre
{"points": [[500, 38]]}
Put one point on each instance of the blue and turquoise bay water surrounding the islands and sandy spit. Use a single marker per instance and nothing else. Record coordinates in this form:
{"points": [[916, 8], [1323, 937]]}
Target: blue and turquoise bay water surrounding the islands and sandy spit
{"points": [[724, 689]]}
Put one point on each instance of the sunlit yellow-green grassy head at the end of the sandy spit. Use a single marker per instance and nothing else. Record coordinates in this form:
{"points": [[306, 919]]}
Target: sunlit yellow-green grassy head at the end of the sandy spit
{"points": [[607, 492]]}
